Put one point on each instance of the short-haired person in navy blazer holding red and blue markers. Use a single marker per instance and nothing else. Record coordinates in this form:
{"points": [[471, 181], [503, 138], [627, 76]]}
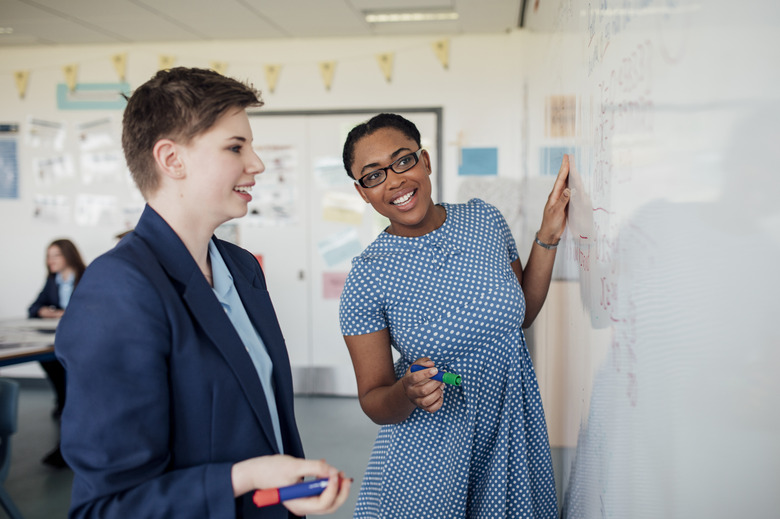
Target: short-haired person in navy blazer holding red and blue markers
{"points": [[180, 398]]}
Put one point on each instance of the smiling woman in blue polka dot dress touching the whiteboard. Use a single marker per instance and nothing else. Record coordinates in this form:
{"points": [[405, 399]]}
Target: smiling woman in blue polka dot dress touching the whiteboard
{"points": [[443, 285]]}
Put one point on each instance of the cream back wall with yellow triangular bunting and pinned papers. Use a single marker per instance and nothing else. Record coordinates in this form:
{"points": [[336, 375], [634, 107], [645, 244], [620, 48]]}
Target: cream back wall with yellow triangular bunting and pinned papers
{"points": [[479, 93]]}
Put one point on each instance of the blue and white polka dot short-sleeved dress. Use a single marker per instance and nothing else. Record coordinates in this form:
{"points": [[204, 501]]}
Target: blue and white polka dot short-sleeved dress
{"points": [[451, 295]]}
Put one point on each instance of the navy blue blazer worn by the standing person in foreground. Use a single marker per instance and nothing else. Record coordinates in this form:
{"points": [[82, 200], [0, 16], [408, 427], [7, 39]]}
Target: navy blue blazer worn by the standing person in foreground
{"points": [[163, 397]]}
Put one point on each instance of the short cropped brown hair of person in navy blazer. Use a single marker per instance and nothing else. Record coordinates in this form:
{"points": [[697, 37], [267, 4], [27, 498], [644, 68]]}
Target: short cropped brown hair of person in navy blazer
{"points": [[178, 104]]}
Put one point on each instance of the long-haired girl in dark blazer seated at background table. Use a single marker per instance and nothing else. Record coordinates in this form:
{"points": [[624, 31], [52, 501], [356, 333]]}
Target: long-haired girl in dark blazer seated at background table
{"points": [[65, 267]]}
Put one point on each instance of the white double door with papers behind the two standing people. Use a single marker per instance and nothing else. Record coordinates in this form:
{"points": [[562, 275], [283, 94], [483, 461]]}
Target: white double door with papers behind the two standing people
{"points": [[307, 254]]}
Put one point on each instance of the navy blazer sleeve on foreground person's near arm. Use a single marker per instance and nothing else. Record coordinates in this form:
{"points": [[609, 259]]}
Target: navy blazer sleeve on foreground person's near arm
{"points": [[115, 342]]}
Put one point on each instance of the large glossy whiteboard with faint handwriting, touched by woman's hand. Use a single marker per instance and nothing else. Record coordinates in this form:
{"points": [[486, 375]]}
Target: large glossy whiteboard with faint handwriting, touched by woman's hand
{"points": [[658, 348]]}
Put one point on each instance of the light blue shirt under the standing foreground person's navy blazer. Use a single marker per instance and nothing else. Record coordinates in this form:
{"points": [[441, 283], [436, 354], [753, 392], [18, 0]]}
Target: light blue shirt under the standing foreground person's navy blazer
{"points": [[228, 297]]}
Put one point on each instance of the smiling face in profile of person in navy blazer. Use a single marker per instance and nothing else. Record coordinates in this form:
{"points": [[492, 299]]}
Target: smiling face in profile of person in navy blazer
{"points": [[219, 167]]}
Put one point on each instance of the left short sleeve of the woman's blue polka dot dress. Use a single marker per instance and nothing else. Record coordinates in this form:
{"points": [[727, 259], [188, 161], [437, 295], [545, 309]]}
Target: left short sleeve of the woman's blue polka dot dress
{"points": [[361, 309]]}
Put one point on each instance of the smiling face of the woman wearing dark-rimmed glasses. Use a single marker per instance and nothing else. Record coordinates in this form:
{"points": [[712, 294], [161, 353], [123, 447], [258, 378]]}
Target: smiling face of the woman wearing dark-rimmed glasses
{"points": [[404, 198]]}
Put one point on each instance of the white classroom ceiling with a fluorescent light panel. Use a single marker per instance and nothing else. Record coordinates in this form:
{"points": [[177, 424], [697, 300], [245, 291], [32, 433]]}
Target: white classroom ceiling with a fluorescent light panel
{"points": [[106, 22]]}
